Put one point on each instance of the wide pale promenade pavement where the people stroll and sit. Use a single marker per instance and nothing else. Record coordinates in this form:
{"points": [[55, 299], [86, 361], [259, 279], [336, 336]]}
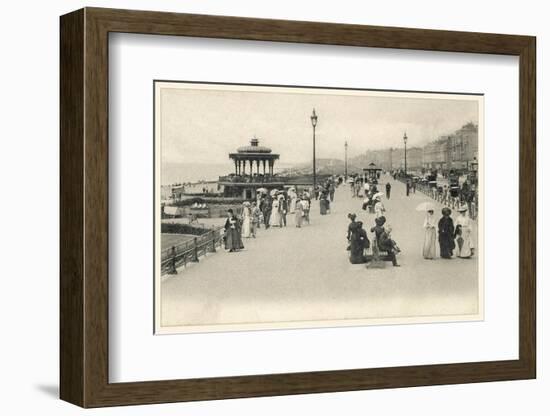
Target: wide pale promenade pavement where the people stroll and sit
{"points": [[303, 274]]}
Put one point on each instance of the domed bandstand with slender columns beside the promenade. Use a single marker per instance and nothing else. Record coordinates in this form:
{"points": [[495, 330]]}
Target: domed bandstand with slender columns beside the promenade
{"points": [[254, 169]]}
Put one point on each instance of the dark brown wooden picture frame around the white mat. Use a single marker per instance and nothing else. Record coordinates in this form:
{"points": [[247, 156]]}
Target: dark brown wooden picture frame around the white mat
{"points": [[84, 215]]}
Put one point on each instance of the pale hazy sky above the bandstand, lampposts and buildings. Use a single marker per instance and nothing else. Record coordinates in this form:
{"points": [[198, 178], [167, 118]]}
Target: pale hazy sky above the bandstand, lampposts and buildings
{"points": [[203, 126]]}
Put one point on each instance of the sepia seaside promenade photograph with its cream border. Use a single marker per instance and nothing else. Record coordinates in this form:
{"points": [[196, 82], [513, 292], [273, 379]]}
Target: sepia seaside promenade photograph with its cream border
{"points": [[302, 207]]}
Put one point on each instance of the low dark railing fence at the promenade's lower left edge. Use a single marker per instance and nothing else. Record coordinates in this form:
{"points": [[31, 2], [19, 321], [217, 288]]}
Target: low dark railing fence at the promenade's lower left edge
{"points": [[190, 251]]}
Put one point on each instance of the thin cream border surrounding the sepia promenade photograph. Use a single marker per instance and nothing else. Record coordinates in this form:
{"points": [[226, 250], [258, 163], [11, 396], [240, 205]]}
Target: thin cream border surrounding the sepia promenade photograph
{"points": [[158, 329]]}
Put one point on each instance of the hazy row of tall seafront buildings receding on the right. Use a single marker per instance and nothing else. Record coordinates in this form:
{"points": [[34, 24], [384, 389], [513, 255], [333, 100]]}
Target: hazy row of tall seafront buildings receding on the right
{"points": [[457, 151]]}
